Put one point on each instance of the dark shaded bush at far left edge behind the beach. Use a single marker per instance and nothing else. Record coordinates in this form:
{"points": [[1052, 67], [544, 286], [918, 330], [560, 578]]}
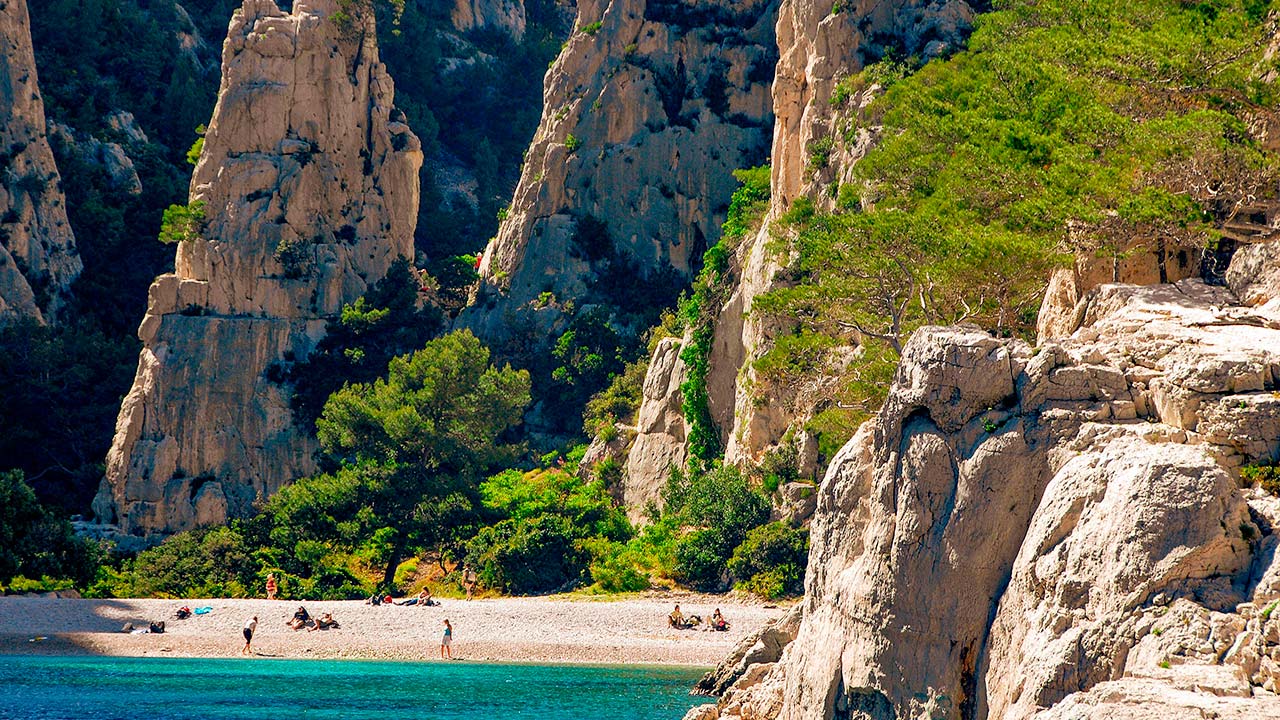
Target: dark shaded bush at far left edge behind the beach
{"points": [[35, 544]]}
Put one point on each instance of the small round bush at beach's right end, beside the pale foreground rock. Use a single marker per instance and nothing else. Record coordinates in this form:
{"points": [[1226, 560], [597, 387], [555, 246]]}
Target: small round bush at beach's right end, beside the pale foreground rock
{"points": [[771, 562]]}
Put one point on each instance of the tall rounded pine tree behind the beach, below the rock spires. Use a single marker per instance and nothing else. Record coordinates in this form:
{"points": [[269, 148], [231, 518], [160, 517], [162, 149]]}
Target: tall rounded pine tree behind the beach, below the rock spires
{"points": [[426, 435]]}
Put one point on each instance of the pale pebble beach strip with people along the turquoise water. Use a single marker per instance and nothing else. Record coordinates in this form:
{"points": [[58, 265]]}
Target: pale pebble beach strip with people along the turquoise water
{"points": [[508, 630]]}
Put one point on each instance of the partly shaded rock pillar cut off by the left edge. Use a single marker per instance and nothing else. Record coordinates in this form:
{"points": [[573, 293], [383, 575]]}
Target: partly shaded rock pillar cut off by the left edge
{"points": [[38, 249]]}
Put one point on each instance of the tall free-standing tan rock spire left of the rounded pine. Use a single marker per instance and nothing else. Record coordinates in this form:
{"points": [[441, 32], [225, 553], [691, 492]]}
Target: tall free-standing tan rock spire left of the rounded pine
{"points": [[309, 188]]}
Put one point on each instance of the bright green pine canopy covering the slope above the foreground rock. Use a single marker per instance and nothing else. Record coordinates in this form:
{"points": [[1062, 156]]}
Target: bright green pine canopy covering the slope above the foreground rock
{"points": [[1064, 129]]}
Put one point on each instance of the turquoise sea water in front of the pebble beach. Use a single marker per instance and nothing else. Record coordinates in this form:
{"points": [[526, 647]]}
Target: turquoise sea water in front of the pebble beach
{"points": [[104, 689]]}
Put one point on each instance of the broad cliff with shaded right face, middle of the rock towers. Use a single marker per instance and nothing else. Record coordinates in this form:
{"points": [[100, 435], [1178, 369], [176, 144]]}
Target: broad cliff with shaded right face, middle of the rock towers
{"points": [[647, 112]]}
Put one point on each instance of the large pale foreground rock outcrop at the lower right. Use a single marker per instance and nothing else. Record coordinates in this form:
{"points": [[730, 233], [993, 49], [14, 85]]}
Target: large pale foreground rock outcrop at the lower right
{"points": [[1054, 532]]}
